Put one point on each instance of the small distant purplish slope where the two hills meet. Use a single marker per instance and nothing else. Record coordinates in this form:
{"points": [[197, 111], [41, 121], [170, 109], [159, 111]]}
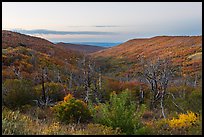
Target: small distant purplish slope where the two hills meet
{"points": [[80, 47]]}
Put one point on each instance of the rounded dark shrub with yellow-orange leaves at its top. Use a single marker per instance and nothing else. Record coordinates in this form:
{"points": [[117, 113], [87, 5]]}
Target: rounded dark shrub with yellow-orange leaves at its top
{"points": [[72, 110]]}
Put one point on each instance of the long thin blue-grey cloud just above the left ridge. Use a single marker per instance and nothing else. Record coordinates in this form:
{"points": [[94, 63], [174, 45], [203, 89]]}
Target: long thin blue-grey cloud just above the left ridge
{"points": [[55, 32]]}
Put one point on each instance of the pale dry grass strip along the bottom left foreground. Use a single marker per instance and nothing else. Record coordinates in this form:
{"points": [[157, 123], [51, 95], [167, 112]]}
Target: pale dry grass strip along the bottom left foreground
{"points": [[18, 123]]}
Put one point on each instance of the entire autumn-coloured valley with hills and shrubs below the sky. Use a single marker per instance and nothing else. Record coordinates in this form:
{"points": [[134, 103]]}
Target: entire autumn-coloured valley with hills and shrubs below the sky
{"points": [[142, 81]]}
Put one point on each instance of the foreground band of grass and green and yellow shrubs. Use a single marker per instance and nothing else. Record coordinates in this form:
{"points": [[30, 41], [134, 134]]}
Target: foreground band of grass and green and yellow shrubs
{"points": [[120, 115]]}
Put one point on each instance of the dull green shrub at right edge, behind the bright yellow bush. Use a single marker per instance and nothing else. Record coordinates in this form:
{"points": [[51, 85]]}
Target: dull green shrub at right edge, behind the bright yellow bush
{"points": [[187, 99]]}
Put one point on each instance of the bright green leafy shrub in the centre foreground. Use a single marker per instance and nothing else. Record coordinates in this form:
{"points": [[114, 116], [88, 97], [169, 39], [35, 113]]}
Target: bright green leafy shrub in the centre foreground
{"points": [[119, 112]]}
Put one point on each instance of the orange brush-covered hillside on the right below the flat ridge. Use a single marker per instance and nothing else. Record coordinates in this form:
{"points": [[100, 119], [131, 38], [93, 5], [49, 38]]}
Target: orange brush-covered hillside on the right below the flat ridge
{"points": [[184, 50]]}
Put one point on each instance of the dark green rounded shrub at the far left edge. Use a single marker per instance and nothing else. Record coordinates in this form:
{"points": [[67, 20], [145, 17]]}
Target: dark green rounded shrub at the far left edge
{"points": [[17, 93]]}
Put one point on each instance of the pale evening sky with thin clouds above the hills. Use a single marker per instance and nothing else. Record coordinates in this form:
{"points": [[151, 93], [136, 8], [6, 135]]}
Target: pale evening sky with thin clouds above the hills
{"points": [[102, 21]]}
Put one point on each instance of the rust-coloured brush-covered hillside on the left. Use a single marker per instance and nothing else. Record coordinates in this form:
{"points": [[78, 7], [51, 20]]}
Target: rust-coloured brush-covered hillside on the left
{"points": [[26, 55]]}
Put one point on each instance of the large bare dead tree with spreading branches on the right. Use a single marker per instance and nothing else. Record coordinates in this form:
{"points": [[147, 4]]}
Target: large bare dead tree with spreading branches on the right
{"points": [[158, 74]]}
